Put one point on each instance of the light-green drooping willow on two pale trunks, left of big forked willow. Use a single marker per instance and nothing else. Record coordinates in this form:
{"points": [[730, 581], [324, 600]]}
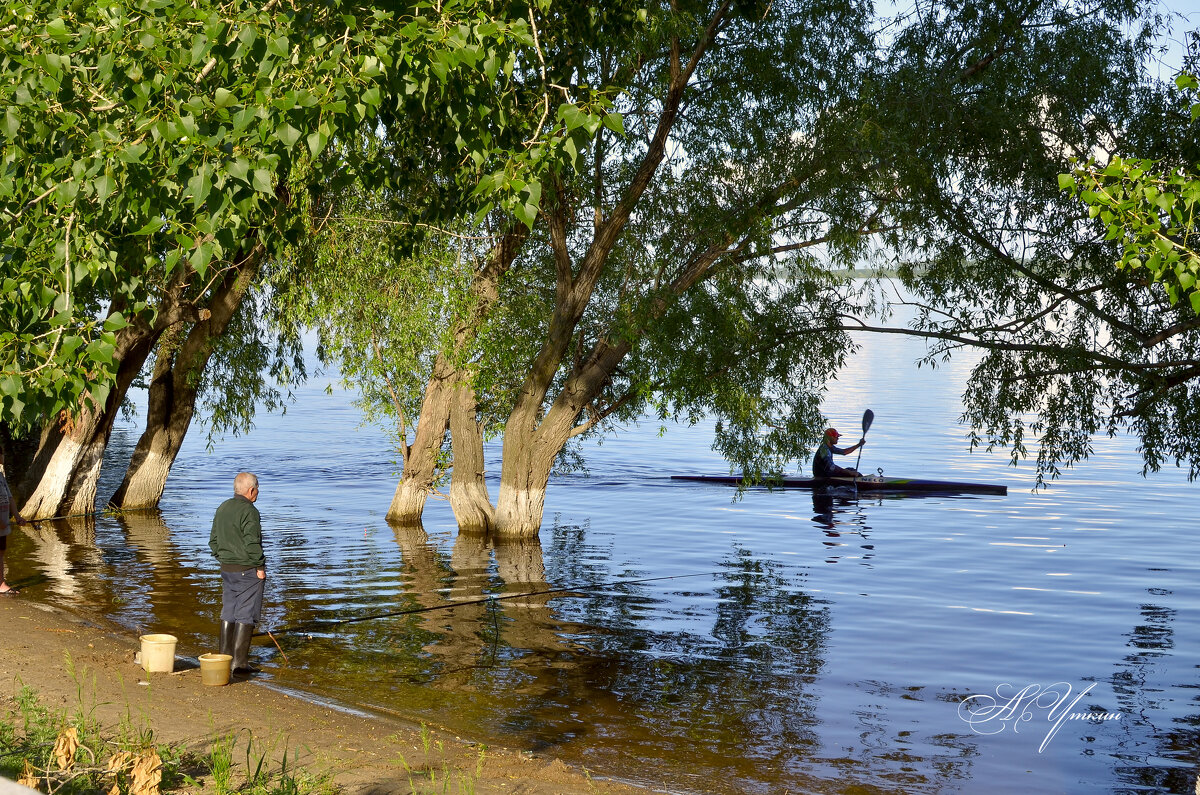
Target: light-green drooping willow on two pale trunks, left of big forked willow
{"points": [[410, 274]]}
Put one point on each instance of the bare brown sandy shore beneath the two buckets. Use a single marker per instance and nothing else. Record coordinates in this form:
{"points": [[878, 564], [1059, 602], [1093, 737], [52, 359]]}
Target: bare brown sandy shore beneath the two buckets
{"points": [[363, 754]]}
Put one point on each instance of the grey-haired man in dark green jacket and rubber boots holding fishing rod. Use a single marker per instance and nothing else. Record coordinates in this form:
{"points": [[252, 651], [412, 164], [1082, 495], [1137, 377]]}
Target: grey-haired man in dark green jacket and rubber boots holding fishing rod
{"points": [[237, 542]]}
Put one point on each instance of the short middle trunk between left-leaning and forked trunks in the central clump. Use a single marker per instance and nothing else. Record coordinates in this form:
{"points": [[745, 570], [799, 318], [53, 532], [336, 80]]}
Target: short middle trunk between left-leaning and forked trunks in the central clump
{"points": [[469, 491]]}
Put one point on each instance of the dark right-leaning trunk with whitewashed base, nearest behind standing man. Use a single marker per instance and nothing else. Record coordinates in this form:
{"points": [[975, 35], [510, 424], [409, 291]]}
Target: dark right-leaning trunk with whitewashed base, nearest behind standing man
{"points": [[175, 388]]}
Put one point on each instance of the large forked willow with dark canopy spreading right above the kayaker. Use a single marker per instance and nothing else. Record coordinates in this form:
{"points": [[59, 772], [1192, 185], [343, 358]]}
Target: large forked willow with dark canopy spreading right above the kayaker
{"points": [[682, 262]]}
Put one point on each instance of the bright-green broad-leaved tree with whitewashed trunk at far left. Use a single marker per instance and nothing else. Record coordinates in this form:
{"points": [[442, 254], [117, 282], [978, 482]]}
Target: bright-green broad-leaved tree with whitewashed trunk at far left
{"points": [[147, 168]]}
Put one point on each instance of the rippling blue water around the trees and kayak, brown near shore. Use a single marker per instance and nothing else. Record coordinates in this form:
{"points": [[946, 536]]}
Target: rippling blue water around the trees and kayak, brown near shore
{"points": [[799, 649]]}
